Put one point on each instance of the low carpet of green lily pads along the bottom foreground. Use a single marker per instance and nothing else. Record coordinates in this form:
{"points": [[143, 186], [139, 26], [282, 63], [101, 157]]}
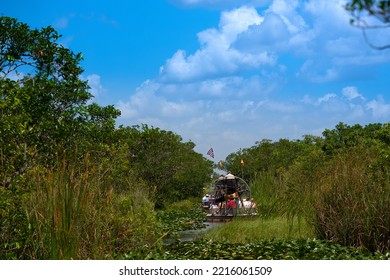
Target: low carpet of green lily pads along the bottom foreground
{"points": [[272, 249]]}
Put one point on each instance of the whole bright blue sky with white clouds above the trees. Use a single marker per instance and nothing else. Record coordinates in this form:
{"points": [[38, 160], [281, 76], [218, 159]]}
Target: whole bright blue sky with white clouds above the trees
{"points": [[224, 74]]}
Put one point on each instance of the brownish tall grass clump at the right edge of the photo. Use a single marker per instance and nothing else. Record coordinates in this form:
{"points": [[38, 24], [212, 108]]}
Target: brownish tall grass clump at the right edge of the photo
{"points": [[354, 205]]}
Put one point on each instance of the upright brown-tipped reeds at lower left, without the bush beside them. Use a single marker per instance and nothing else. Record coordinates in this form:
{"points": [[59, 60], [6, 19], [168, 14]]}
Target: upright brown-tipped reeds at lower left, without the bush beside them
{"points": [[67, 210]]}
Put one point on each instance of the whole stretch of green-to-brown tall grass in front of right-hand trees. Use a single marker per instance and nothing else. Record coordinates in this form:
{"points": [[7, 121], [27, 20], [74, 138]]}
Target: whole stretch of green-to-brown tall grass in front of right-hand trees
{"points": [[346, 197]]}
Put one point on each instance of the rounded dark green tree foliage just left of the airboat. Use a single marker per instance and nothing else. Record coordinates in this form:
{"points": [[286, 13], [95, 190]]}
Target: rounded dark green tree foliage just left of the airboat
{"points": [[170, 167]]}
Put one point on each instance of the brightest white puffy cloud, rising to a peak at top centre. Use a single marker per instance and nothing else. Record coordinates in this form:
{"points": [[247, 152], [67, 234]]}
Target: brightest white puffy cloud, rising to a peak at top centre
{"points": [[217, 57]]}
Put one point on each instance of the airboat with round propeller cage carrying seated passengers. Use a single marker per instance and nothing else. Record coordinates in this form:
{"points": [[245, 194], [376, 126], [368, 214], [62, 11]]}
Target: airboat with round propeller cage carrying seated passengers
{"points": [[229, 197]]}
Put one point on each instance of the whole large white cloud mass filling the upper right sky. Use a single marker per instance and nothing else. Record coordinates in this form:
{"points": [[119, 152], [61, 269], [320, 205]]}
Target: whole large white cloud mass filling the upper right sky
{"points": [[250, 39]]}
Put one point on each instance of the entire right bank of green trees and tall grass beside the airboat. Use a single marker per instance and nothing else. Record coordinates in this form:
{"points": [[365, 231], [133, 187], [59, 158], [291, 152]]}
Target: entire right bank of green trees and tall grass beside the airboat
{"points": [[339, 182]]}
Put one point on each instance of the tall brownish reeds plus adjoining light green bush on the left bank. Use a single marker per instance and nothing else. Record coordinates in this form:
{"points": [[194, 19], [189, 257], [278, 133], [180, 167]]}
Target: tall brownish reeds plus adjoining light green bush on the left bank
{"points": [[77, 213]]}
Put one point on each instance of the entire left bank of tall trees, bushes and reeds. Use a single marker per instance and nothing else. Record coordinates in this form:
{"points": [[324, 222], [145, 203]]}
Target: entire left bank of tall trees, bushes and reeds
{"points": [[72, 183]]}
